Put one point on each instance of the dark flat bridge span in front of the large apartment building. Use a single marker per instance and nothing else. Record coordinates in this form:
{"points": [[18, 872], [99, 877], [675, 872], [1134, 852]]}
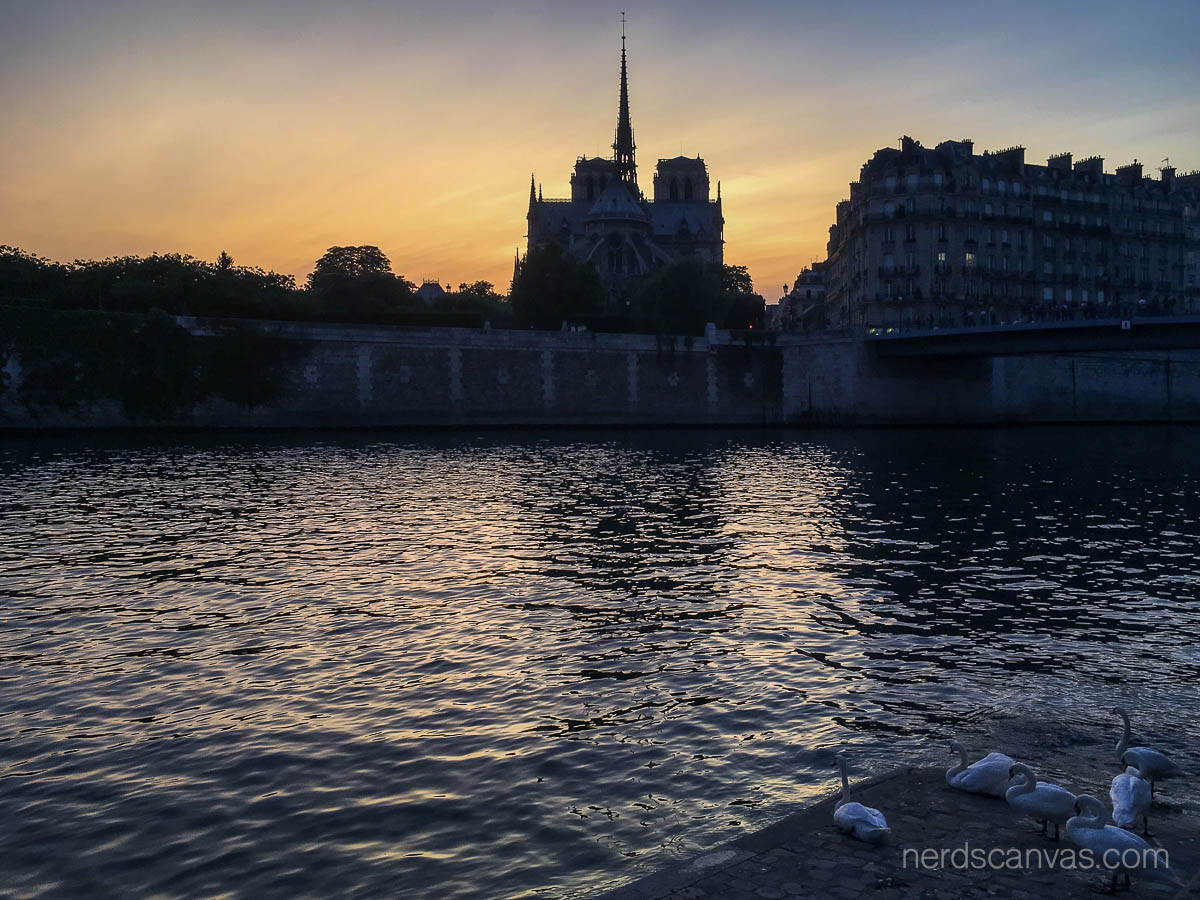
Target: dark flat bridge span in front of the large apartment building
{"points": [[1159, 333]]}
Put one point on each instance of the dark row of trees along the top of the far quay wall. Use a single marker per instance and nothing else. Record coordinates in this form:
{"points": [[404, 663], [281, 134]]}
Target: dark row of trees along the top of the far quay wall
{"points": [[358, 285]]}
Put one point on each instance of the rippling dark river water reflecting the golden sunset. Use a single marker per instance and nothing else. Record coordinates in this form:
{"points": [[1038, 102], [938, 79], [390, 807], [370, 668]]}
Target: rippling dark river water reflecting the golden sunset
{"points": [[535, 663]]}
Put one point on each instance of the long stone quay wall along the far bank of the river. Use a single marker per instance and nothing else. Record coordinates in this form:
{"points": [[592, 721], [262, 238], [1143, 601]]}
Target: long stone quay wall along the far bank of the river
{"points": [[358, 376]]}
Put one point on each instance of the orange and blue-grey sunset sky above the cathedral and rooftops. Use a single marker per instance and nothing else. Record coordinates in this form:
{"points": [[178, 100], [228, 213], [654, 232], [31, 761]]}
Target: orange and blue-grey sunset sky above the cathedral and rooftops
{"points": [[277, 129]]}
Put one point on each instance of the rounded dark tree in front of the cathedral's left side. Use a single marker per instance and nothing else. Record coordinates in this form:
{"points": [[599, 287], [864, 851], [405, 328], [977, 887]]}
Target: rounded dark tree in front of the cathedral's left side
{"points": [[553, 286]]}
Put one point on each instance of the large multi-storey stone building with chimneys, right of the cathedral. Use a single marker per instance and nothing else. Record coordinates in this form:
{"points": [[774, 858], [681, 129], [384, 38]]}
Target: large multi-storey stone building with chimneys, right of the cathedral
{"points": [[951, 238]]}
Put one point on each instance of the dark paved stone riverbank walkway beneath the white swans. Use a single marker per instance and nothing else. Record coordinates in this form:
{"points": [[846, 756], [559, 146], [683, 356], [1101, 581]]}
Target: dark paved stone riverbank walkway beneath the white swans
{"points": [[805, 856]]}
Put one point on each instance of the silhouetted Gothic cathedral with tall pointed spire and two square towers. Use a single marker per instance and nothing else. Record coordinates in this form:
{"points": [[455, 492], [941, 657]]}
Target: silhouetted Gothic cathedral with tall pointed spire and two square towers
{"points": [[611, 224]]}
